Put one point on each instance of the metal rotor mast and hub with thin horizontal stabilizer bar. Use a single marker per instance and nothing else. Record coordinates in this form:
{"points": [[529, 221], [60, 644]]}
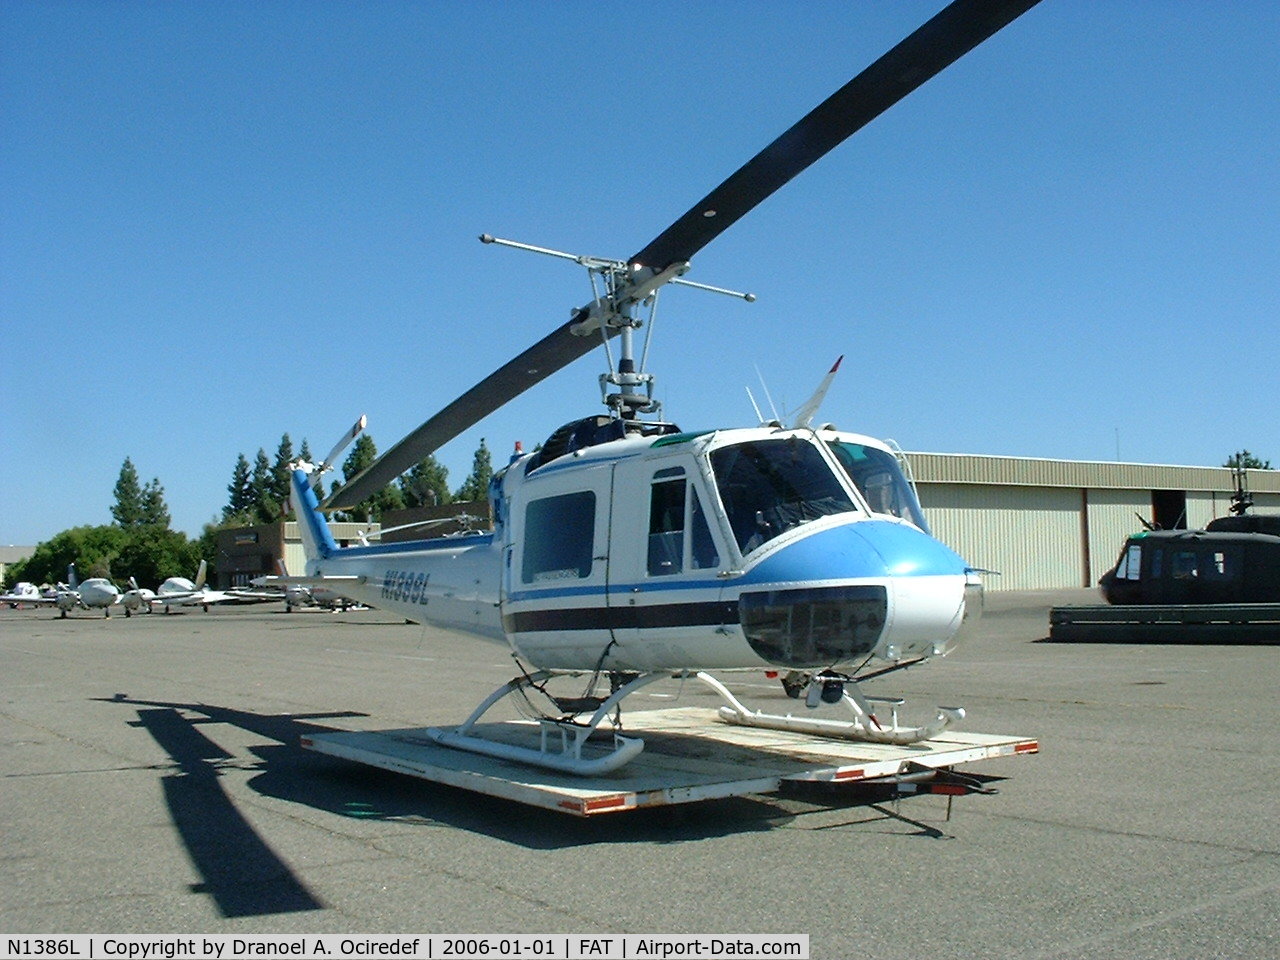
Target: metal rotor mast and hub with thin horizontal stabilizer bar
{"points": [[620, 291]]}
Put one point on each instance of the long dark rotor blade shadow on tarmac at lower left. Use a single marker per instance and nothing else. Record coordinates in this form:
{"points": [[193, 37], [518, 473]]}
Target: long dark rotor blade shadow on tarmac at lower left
{"points": [[243, 875]]}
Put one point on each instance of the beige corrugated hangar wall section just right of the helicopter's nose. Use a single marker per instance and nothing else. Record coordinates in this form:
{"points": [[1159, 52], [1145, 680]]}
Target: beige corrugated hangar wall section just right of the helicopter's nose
{"points": [[1030, 534]]}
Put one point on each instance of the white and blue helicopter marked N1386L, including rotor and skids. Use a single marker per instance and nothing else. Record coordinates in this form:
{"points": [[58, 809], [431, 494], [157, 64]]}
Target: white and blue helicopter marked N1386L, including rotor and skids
{"points": [[628, 551]]}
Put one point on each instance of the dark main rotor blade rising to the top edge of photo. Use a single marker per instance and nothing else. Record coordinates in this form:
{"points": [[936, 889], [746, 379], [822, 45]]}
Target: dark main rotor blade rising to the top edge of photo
{"points": [[940, 43]]}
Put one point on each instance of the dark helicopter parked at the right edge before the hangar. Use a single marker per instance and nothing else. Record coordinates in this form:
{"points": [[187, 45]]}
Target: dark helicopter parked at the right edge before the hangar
{"points": [[1233, 560]]}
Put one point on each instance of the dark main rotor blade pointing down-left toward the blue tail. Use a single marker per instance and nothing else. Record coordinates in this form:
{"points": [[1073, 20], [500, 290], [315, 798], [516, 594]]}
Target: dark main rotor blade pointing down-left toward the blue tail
{"points": [[554, 353]]}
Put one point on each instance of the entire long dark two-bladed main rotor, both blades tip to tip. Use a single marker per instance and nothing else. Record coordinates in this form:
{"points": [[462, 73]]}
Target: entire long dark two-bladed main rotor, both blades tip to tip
{"points": [[943, 40]]}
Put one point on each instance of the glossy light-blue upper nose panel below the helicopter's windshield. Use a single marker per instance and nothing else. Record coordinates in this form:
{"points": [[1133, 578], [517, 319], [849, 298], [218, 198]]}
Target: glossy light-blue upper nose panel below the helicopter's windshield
{"points": [[870, 548]]}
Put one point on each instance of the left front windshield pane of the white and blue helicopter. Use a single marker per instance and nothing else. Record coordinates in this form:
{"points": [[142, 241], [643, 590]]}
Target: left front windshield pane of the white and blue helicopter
{"points": [[770, 487]]}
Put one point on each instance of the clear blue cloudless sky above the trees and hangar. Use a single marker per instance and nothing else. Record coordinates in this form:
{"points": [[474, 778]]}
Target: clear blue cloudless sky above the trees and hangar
{"points": [[221, 222]]}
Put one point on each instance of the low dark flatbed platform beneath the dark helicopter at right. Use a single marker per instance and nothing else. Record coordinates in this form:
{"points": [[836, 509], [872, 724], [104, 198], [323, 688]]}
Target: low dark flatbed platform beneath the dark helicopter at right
{"points": [[1169, 624]]}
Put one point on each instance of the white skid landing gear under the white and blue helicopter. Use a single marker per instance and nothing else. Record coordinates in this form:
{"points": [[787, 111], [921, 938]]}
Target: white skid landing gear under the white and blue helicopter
{"points": [[580, 748]]}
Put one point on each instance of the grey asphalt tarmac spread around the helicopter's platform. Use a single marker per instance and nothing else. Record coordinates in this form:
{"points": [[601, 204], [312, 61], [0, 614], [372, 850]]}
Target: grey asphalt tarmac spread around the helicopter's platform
{"points": [[152, 781]]}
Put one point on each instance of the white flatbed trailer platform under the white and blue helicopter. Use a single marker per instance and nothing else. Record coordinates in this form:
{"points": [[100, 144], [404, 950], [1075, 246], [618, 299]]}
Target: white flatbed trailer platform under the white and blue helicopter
{"points": [[689, 756]]}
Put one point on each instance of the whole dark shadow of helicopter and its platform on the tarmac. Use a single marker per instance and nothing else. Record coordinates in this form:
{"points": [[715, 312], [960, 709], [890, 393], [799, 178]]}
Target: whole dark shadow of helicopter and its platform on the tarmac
{"points": [[246, 877]]}
